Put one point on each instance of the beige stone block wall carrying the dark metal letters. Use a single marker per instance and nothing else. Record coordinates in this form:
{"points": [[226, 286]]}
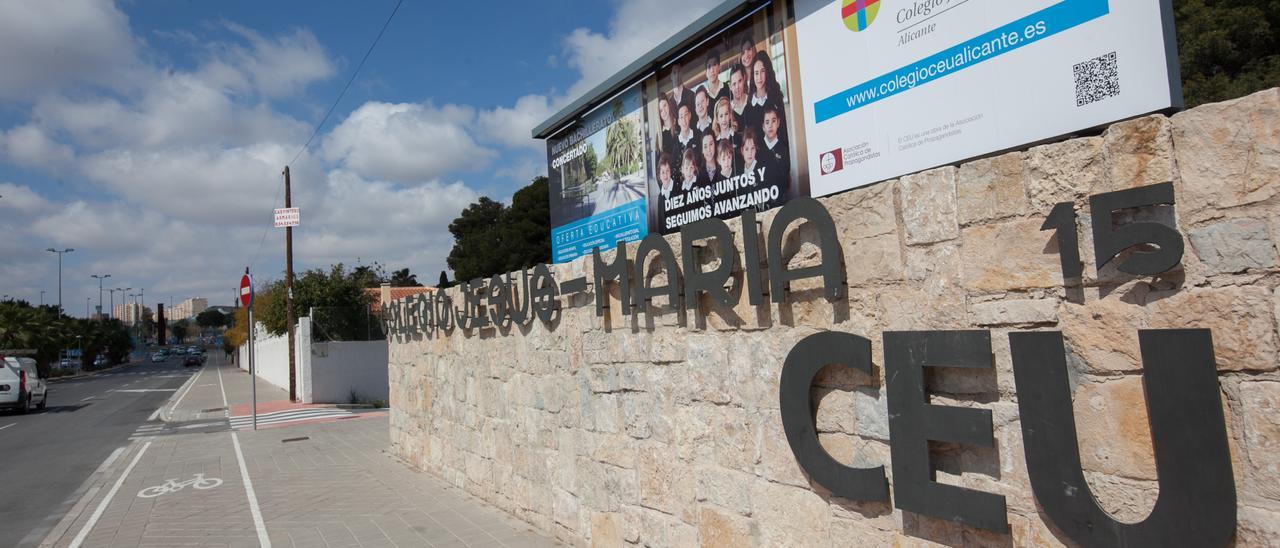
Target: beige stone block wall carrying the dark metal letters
{"points": [[665, 431]]}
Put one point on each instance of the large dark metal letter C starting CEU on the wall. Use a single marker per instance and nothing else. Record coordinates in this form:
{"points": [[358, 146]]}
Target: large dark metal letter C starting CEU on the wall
{"points": [[802, 366]]}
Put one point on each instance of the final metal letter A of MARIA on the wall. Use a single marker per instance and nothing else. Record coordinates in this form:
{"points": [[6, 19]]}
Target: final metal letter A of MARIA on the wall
{"points": [[831, 270]]}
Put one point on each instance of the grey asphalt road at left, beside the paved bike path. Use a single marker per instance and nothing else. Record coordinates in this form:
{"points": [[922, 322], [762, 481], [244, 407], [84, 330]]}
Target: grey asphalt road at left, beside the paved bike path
{"points": [[48, 455]]}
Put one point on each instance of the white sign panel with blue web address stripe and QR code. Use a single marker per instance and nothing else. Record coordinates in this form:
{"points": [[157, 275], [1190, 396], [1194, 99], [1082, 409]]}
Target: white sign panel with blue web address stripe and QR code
{"points": [[898, 86]]}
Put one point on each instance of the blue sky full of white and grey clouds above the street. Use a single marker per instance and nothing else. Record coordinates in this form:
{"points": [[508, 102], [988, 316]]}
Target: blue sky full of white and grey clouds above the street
{"points": [[150, 135]]}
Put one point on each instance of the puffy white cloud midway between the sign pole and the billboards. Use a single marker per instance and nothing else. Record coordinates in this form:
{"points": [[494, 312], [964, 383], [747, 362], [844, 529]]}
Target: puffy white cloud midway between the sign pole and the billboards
{"points": [[406, 143]]}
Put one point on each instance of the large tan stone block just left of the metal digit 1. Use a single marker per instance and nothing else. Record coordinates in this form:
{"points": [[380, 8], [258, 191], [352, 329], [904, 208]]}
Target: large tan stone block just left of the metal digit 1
{"points": [[1009, 257]]}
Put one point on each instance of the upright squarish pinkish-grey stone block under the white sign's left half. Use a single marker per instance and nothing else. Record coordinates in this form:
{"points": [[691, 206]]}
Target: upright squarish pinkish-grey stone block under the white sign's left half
{"points": [[930, 207]]}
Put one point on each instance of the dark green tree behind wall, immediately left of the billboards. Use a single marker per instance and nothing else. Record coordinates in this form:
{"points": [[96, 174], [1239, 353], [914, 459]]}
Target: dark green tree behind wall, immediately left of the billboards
{"points": [[491, 239]]}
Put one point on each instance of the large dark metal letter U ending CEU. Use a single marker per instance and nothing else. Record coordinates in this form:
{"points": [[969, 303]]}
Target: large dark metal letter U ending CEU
{"points": [[1196, 505]]}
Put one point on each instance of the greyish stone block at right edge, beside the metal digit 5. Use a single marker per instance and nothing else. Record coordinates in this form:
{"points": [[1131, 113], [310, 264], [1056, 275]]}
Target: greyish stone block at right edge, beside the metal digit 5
{"points": [[1235, 246]]}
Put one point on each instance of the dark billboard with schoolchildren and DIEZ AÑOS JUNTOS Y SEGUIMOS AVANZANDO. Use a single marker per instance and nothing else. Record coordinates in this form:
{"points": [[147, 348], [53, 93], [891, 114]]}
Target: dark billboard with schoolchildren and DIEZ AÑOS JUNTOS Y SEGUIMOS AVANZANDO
{"points": [[721, 126]]}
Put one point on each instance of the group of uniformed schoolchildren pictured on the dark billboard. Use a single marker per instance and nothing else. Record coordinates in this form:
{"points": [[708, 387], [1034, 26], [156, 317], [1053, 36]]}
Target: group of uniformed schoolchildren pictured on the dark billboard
{"points": [[729, 133]]}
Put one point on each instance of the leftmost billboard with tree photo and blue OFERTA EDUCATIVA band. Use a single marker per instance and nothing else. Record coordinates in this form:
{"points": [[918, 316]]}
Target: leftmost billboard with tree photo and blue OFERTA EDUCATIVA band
{"points": [[597, 179]]}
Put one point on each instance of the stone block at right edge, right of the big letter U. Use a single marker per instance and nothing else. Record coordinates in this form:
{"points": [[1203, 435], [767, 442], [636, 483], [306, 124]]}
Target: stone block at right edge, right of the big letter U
{"points": [[1260, 407]]}
